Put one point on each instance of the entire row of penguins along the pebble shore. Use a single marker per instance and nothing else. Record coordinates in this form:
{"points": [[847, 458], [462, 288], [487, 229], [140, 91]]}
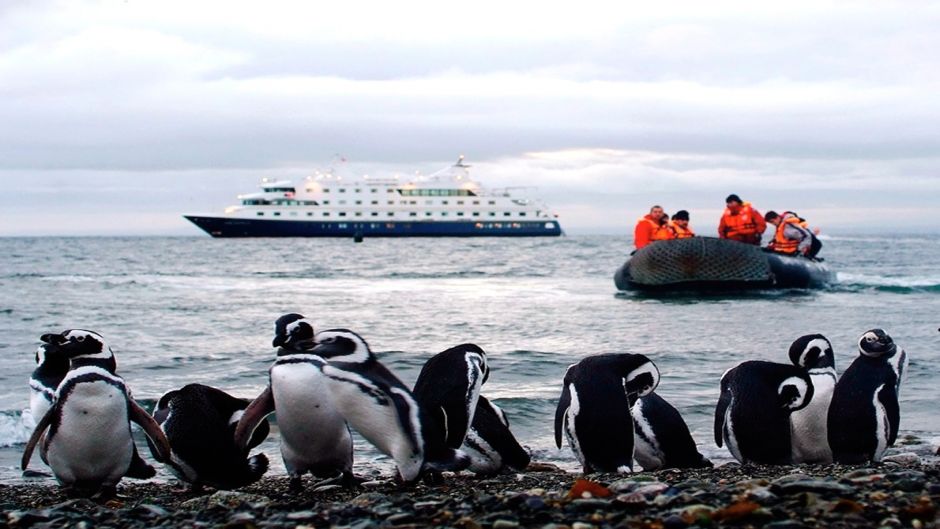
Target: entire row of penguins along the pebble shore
{"points": [[324, 384]]}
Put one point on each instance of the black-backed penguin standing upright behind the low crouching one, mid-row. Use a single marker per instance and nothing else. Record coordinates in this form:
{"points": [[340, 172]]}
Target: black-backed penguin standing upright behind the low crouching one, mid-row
{"points": [[448, 388]]}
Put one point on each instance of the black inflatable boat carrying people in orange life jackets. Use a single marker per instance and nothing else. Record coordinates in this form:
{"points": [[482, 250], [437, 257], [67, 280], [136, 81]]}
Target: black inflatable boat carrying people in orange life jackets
{"points": [[711, 264]]}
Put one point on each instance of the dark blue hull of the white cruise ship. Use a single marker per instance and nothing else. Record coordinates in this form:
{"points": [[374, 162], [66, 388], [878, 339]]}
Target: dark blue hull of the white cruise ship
{"points": [[241, 227]]}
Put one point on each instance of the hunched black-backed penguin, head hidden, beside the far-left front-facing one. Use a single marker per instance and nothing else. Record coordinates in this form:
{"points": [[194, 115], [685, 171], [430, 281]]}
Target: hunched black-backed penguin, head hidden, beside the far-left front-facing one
{"points": [[199, 423]]}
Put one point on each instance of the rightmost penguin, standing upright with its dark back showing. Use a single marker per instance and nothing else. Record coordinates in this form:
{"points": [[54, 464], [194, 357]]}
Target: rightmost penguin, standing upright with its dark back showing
{"points": [[864, 414]]}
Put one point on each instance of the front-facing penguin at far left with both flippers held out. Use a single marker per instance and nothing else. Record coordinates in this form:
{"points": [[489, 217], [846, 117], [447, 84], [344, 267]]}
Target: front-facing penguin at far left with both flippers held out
{"points": [[89, 445]]}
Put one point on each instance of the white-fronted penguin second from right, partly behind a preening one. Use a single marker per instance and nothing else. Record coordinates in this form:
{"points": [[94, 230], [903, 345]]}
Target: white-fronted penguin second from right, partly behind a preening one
{"points": [[808, 437]]}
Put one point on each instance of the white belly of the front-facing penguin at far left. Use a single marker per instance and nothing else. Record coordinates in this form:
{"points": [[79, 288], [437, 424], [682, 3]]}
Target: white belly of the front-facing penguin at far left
{"points": [[92, 441]]}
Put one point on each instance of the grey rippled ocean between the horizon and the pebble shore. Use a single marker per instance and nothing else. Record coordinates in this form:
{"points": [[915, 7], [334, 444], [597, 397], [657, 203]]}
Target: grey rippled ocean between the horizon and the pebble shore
{"points": [[177, 310]]}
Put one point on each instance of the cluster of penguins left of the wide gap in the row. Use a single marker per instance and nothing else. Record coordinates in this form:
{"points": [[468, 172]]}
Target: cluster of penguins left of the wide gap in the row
{"points": [[321, 385]]}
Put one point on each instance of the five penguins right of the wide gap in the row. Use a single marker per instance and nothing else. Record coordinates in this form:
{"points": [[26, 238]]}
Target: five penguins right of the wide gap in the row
{"points": [[767, 412]]}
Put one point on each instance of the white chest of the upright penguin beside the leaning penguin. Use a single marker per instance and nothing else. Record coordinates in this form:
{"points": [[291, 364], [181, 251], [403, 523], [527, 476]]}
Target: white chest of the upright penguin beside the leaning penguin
{"points": [[306, 415]]}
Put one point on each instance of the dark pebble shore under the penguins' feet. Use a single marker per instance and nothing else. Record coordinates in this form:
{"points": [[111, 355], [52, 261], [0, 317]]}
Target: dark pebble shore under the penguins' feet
{"points": [[901, 493]]}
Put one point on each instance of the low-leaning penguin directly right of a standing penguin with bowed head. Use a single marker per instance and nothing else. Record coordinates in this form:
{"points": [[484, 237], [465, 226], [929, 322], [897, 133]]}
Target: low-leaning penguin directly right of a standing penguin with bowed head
{"points": [[662, 438]]}
